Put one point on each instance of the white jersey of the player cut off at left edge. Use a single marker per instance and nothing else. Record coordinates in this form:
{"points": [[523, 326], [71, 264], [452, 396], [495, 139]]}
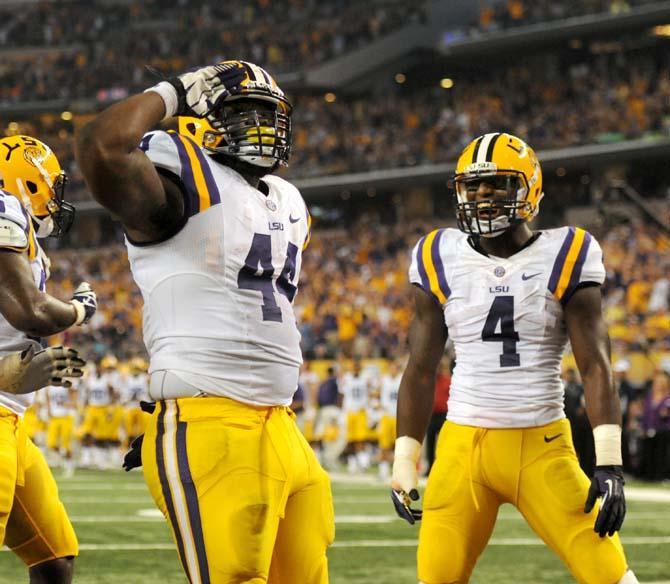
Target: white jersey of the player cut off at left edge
{"points": [[12, 340]]}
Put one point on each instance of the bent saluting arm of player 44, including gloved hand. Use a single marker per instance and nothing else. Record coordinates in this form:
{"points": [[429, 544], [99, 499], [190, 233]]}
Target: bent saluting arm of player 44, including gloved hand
{"points": [[119, 174]]}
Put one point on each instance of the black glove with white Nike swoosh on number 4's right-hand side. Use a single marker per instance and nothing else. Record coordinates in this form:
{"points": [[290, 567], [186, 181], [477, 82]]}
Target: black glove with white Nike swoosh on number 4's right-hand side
{"points": [[607, 482]]}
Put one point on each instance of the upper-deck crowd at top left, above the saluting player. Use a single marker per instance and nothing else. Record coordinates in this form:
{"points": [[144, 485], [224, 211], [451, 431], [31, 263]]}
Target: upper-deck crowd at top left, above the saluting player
{"points": [[119, 41]]}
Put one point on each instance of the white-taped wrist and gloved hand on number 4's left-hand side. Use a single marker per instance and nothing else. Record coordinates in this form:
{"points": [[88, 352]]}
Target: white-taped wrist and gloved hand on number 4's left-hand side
{"points": [[405, 478]]}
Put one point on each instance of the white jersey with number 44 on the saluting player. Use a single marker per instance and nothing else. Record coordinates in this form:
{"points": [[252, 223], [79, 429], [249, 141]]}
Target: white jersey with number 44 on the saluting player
{"points": [[218, 295]]}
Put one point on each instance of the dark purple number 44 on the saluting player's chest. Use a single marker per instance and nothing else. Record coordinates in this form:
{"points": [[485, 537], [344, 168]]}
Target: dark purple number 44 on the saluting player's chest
{"points": [[260, 258]]}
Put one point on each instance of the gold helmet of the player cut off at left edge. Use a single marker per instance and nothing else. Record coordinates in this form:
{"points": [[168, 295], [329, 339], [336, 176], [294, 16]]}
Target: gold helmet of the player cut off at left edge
{"points": [[30, 171]]}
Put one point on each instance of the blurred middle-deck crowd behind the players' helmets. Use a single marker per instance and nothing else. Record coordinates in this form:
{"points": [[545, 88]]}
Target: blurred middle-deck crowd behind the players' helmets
{"points": [[607, 99]]}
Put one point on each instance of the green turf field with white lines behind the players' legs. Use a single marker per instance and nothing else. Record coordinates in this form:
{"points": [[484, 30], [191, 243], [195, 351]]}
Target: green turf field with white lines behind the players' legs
{"points": [[125, 541]]}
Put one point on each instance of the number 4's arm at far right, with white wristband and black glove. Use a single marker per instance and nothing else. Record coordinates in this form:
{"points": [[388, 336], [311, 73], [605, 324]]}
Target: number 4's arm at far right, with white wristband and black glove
{"points": [[591, 347]]}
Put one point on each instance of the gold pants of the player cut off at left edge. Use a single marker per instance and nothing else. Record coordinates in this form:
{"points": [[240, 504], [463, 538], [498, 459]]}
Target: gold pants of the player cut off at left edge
{"points": [[33, 521]]}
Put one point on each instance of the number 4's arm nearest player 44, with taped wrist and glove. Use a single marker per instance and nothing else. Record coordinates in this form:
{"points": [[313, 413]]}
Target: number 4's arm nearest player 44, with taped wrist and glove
{"points": [[427, 337]]}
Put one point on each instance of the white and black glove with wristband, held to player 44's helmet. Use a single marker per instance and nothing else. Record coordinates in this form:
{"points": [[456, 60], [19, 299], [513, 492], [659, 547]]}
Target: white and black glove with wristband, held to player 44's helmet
{"points": [[196, 93]]}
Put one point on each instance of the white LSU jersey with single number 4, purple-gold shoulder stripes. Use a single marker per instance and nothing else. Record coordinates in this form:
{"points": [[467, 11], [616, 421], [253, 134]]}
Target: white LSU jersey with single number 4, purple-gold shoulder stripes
{"points": [[505, 317]]}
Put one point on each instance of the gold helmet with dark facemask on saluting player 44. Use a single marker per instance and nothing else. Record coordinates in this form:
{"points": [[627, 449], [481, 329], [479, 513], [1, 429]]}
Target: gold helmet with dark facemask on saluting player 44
{"points": [[252, 125]]}
